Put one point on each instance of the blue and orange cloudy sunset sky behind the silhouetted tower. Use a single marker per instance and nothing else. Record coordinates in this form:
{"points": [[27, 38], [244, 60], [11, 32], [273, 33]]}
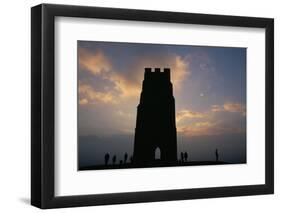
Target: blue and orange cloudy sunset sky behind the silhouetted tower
{"points": [[209, 89]]}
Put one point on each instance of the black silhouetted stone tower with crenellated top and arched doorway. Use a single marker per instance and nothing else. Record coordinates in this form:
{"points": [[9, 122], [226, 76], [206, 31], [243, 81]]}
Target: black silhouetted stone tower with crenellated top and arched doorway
{"points": [[156, 126]]}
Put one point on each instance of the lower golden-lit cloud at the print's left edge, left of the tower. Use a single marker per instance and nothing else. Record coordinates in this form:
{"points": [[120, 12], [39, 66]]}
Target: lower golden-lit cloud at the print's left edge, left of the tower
{"points": [[87, 95]]}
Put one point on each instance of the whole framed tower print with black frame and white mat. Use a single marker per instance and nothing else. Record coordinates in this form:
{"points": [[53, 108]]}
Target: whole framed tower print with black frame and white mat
{"points": [[140, 106]]}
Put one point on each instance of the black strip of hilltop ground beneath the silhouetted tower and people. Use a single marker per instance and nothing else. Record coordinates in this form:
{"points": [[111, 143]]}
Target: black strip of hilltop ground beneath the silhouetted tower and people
{"points": [[130, 165]]}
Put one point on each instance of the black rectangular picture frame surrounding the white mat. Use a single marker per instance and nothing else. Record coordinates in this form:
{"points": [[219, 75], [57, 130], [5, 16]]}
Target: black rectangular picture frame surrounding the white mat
{"points": [[43, 102]]}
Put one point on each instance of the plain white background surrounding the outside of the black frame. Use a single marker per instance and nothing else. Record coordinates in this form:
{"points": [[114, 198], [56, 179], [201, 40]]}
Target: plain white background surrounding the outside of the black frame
{"points": [[15, 106]]}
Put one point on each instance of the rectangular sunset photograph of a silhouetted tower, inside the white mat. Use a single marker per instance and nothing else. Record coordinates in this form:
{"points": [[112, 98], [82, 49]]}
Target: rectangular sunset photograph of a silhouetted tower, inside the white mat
{"points": [[146, 105]]}
